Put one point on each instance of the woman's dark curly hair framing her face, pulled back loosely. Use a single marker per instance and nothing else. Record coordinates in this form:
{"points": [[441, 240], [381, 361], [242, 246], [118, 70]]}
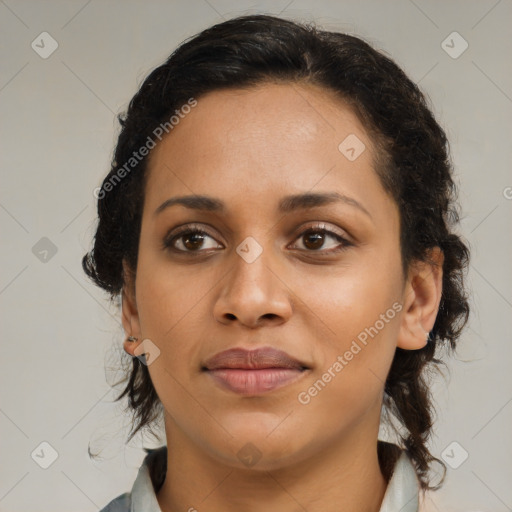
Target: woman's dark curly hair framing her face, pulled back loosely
{"points": [[411, 159]]}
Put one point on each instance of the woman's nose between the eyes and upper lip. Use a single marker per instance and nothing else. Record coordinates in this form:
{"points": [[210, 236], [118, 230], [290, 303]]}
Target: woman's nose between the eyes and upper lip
{"points": [[253, 294]]}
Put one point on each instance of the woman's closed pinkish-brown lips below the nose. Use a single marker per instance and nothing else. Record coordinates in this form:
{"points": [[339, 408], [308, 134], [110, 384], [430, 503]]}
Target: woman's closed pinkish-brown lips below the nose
{"points": [[254, 372]]}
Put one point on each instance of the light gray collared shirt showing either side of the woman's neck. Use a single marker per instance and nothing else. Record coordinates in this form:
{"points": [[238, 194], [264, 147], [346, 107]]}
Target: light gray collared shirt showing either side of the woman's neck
{"points": [[402, 493]]}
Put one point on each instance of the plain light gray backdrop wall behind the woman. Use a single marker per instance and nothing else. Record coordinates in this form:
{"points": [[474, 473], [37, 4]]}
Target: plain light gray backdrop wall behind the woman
{"points": [[60, 337]]}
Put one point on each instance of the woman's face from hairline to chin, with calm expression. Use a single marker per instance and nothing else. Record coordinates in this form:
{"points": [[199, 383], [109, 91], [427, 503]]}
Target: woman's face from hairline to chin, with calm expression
{"points": [[260, 276]]}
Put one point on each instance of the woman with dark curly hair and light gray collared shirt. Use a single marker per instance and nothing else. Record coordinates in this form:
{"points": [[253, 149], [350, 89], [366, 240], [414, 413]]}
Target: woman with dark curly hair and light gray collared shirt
{"points": [[278, 222]]}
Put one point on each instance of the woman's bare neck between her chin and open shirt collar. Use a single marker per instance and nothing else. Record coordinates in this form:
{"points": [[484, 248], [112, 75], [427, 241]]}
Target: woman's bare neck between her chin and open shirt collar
{"points": [[346, 476]]}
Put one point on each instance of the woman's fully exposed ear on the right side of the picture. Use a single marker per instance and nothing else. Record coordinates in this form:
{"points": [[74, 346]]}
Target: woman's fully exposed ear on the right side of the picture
{"points": [[421, 299]]}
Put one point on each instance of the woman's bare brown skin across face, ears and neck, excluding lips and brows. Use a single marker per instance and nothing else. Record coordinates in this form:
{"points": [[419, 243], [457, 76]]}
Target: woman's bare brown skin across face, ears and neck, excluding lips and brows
{"points": [[250, 148]]}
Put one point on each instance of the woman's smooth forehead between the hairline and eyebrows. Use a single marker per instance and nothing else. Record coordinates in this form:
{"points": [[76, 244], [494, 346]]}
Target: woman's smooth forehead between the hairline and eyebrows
{"points": [[253, 144]]}
